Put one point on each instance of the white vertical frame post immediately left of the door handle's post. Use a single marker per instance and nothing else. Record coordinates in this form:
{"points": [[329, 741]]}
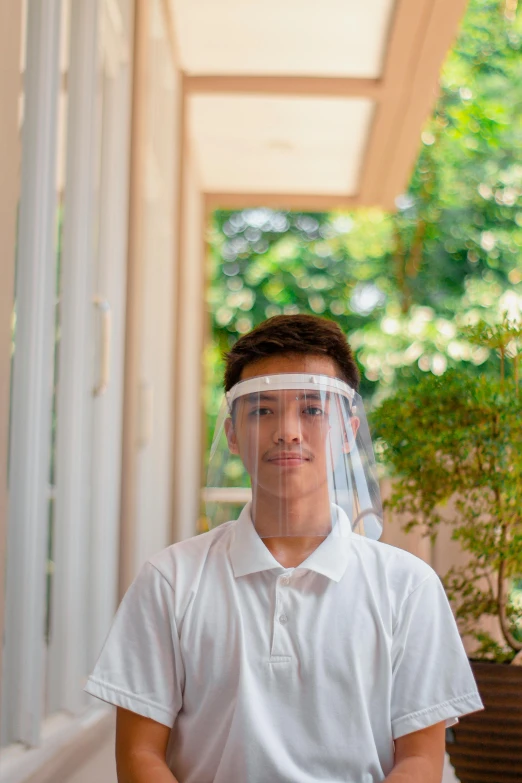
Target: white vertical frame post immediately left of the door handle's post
{"points": [[67, 663]]}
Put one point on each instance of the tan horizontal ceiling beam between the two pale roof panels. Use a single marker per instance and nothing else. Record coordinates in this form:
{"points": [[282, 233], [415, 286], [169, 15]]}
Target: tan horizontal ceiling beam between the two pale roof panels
{"points": [[303, 86]]}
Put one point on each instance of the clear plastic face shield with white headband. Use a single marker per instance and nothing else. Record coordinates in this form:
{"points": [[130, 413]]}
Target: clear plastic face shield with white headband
{"points": [[299, 447]]}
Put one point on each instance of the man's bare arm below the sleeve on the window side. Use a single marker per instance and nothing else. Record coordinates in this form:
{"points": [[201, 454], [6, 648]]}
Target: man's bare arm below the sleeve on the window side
{"points": [[141, 745]]}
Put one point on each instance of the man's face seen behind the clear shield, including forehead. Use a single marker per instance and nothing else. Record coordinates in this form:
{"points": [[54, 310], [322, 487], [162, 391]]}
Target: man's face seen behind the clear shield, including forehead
{"points": [[289, 439]]}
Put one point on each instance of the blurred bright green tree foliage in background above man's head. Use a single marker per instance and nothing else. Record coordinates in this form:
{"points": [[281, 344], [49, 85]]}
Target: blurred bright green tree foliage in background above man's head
{"points": [[401, 285]]}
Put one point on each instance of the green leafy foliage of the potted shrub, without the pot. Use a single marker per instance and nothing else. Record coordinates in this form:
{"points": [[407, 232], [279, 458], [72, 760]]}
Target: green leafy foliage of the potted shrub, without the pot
{"points": [[460, 437]]}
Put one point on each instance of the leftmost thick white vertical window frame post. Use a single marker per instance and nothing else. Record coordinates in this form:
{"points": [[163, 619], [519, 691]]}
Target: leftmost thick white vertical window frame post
{"points": [[22, 692]]}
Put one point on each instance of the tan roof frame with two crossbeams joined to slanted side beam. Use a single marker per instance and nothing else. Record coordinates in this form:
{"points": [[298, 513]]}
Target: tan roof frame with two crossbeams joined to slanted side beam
{"points": [[420, 35]]}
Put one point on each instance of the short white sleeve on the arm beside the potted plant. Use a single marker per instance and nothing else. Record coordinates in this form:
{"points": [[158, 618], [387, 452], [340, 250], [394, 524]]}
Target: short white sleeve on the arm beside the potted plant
{"points": [[432, 677]]}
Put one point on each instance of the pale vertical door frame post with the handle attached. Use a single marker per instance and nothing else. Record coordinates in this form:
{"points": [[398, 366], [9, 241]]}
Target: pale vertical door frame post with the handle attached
{"points": [[110, 286]]}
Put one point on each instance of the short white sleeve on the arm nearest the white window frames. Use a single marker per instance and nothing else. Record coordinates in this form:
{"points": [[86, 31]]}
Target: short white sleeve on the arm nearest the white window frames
{"points": [[140, 666]]}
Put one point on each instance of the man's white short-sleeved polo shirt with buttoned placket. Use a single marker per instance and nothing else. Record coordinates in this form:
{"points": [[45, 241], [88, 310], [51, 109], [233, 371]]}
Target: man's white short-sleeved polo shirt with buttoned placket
{"points": [[285, 675]]}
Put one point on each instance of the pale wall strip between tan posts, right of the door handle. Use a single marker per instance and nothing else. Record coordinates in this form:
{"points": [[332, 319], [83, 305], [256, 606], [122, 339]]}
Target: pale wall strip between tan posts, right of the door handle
{"points": [[157, 349]]}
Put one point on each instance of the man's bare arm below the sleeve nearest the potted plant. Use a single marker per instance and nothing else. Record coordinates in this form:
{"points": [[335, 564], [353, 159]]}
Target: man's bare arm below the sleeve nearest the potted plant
{"points": [[419, 756]]}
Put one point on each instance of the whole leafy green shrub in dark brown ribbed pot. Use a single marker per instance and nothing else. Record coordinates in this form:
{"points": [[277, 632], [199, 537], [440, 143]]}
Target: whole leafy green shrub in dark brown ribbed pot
{"points": [[459, 436]]}
